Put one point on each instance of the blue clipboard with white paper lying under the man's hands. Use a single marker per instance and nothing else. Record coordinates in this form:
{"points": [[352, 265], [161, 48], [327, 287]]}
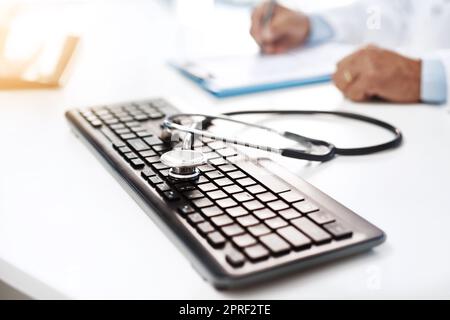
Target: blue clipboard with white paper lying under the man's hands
{"points": [[227, 76]]}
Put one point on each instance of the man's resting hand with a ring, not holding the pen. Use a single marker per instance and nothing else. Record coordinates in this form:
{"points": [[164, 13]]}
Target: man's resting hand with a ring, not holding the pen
{"points": [[376, 73]]}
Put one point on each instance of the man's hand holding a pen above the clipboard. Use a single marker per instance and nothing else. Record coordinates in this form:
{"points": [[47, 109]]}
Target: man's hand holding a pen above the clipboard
{"points": [[287, 29]]}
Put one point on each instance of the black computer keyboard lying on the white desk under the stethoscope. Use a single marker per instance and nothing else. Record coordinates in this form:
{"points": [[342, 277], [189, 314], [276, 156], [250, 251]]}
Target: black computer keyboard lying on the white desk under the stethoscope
{"points": [[244, 220]]}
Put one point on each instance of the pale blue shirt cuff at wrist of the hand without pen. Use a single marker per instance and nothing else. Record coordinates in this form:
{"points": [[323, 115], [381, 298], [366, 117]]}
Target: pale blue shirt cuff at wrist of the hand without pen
{"points": [[433, 87]]}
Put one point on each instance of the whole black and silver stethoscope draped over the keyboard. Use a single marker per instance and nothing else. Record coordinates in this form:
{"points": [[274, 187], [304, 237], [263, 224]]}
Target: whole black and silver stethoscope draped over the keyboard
{"points": [[184, 162]]}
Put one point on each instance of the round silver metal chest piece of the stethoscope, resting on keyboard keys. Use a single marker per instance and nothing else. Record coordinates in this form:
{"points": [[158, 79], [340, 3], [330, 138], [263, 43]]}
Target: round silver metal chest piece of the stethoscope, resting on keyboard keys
{"points": [[183, 163]]}
